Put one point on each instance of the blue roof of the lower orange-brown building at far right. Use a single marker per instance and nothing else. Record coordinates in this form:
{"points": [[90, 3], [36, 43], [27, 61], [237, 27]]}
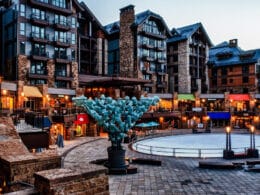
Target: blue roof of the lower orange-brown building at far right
{"points": [[225, 54]]}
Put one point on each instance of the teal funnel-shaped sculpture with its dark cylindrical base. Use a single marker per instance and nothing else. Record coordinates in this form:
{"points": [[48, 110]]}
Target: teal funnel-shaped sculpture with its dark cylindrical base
{"points": [[116, 116]]}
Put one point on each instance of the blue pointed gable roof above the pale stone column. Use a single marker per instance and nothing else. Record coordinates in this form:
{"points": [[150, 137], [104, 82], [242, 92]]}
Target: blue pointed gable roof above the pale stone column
{"points": [[183, 33]]}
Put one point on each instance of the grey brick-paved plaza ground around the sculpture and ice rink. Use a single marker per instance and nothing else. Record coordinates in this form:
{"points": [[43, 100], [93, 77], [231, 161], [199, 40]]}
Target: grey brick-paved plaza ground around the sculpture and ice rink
{"points": [[175, 176]]}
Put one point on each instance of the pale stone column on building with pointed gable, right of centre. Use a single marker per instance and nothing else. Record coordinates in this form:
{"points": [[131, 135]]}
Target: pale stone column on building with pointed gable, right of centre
{"points": [[183, 74]]}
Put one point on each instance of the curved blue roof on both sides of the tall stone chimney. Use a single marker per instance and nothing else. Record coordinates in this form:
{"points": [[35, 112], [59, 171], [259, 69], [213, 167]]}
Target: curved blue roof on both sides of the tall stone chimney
{"points": [[139, 20]]}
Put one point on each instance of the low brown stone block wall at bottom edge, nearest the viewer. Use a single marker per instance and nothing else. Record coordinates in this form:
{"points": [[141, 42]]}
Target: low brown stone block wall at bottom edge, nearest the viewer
{"points": [[66, 181]]}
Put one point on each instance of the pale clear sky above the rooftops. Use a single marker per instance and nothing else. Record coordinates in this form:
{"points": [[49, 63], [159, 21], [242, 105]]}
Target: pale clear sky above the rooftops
{"points": [[223, 20]]}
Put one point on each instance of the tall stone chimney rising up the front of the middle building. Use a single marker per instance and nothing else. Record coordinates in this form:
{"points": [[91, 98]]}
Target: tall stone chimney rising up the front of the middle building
{"points": [[126, 41]]}
